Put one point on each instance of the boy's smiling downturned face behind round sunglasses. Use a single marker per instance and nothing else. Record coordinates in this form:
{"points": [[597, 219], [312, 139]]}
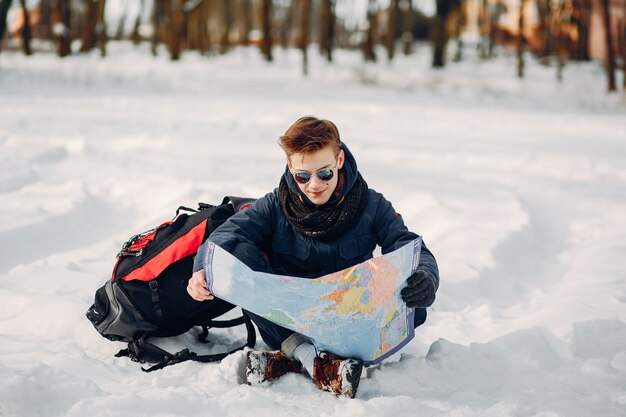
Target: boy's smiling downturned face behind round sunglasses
{"points": [[317, 190]]}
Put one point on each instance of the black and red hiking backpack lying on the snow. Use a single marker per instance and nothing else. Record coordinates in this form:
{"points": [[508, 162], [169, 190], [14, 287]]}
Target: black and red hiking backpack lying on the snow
{"points": [[147, 296]]}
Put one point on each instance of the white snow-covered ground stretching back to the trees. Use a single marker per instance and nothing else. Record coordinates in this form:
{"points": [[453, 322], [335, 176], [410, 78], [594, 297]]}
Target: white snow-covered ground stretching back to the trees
{"points": [[518, 187]]}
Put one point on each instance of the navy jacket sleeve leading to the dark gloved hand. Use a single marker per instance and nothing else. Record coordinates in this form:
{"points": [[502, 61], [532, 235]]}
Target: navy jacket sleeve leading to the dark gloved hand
{"points": [[391, 234]]}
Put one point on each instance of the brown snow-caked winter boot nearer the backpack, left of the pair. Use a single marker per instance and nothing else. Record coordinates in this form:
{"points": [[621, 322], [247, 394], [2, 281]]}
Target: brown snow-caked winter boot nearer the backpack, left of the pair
{"points": [[268, 366]]}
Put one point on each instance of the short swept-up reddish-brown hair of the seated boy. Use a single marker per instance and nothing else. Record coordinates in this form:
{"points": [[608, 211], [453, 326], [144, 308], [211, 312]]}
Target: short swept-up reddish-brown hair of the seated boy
{"points": [[310, 134]]}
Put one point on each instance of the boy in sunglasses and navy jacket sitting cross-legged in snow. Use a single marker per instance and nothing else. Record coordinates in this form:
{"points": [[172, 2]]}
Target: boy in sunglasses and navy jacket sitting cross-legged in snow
{"points": [[321, 219]]}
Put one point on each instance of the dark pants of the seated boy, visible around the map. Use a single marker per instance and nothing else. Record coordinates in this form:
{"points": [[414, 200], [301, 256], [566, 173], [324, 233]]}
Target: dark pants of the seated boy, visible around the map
{"points": [[272, 334]]}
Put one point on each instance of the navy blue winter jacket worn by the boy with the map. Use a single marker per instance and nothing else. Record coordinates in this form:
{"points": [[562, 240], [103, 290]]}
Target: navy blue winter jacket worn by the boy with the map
{"points": [[264, 229]]}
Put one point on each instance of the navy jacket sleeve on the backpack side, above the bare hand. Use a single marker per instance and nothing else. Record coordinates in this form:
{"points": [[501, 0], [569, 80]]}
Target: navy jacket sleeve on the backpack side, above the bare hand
{"points": [[243, 232]]}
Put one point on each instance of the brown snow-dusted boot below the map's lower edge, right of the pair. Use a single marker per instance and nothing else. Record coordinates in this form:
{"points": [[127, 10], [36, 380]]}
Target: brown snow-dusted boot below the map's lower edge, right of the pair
{"points": [[339, 376]]}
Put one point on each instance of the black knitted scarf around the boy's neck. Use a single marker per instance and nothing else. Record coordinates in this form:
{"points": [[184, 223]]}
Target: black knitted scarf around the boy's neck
{"points": [[326, 222]]}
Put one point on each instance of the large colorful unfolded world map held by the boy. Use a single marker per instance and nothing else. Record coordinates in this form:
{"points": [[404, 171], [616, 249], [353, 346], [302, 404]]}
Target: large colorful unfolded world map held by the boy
{"points": [[356, 313]]}
